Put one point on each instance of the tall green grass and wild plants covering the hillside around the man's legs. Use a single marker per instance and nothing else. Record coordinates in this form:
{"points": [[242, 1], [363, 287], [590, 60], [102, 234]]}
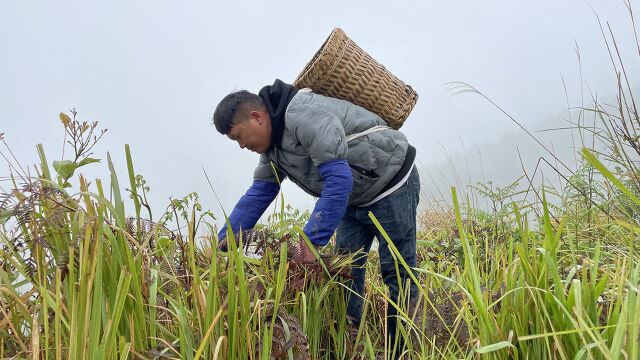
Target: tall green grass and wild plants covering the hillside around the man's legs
{"points": [[553, 277]]}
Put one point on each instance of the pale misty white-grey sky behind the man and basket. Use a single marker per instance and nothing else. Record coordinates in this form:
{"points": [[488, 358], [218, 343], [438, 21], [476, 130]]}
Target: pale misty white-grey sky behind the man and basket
{"points": [[152, 73]]}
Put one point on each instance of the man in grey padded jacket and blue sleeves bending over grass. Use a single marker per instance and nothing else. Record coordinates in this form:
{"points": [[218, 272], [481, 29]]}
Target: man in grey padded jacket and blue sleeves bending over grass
{"points": [[341, 153]]}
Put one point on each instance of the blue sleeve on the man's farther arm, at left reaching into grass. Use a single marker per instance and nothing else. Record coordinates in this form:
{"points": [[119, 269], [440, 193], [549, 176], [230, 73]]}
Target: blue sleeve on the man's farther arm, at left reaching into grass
{"points": [[251, 206]]}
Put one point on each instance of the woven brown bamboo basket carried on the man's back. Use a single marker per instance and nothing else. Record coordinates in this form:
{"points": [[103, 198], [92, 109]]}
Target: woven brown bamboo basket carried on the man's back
{"points": [[341, 69]]}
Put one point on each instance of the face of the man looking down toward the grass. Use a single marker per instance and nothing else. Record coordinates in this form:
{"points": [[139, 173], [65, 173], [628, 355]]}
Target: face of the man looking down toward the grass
{"points": [[253, 133]]}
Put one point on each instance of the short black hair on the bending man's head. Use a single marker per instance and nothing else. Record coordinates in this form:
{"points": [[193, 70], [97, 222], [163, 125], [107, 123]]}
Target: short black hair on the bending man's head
{"points": [[237, 103]]}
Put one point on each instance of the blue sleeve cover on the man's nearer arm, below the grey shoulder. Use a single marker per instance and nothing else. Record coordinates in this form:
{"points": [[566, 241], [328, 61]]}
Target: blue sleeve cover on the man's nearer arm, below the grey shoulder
{"points": [[334, 198]]}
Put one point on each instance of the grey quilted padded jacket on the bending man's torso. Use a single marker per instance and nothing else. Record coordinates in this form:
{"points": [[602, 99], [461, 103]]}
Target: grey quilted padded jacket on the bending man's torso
{"points": [[320, 128]]}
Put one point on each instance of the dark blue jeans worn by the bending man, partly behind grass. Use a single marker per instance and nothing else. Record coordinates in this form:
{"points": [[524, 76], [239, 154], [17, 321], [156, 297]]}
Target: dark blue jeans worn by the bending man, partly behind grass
{"points": [[397, 215]]}
